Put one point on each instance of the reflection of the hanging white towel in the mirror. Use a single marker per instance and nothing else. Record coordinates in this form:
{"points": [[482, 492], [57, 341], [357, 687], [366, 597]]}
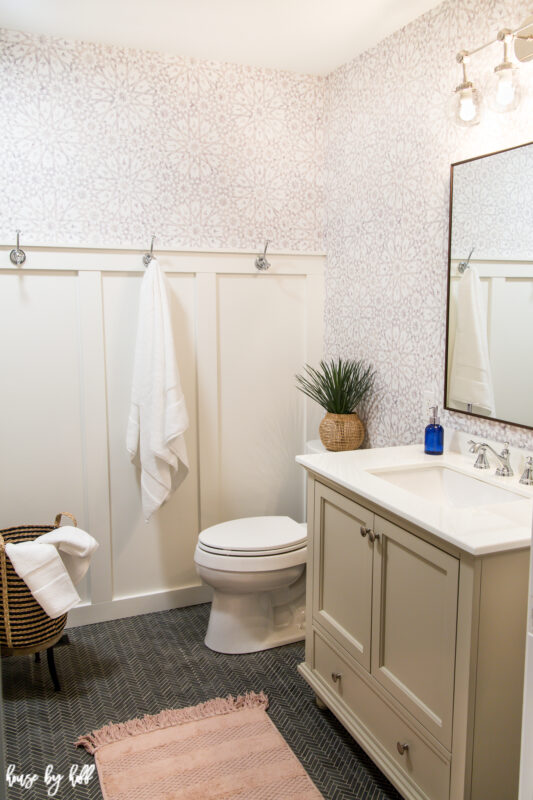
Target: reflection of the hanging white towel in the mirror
{"points": [[470, 373]]}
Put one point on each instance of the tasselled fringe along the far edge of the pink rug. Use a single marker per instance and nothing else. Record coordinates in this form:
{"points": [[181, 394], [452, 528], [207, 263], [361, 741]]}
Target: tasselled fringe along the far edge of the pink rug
{"points": [[115, 732]]}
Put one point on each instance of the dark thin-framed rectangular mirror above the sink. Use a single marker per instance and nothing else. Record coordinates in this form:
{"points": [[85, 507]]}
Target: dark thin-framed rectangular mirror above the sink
{"points": [[489, 335]]}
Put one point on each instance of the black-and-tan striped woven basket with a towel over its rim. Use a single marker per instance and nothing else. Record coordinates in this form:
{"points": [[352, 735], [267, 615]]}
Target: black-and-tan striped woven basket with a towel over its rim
{"points": [[25, 627]]}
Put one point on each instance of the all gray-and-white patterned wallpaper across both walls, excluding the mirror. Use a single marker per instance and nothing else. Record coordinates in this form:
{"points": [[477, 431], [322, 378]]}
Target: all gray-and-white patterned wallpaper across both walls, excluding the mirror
{"points": [[103, 146]]}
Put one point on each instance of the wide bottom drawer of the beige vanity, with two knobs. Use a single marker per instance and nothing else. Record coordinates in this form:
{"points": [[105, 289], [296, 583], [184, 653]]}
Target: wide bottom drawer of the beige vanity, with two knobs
{"points": [[422, 763]]}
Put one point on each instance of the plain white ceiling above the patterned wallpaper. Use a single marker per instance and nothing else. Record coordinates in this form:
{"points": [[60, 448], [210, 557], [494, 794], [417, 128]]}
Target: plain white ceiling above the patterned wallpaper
{"points": [[313, 36]]}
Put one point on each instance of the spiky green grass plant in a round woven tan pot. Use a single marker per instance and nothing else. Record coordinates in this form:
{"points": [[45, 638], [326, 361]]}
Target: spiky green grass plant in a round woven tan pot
{"points": [[339, 386]]}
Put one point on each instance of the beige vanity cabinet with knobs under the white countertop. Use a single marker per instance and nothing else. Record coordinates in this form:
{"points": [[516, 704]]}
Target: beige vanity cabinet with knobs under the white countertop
{"points": [[407, 646]]}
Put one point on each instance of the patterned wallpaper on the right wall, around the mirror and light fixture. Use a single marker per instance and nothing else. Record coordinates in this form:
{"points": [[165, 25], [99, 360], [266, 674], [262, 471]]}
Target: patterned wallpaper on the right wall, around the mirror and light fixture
{"points": [[389, 143]]}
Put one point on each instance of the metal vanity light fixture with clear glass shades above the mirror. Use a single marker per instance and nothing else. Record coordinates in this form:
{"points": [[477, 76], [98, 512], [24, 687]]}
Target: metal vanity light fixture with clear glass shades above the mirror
{"points": [[503, 87]]}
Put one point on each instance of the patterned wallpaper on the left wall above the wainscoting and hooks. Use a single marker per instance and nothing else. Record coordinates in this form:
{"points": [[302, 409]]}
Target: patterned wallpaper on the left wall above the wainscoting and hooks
{"points": [[103, 146]]}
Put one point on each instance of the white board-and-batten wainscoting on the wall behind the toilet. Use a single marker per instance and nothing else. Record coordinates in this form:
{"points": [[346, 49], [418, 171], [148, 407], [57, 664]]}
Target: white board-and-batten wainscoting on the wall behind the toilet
{"points": [[68, 326]]}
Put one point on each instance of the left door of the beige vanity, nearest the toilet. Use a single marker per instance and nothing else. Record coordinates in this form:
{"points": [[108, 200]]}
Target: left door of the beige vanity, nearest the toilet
{"points": [[342, 596]]}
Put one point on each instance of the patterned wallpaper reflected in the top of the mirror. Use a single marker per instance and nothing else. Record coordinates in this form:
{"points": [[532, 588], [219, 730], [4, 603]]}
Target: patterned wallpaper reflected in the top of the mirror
{"points": [[493, 206]]}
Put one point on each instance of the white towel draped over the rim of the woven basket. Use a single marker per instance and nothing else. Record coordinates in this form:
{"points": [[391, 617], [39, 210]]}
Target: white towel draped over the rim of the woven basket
{"points": [[51, 565]]}
